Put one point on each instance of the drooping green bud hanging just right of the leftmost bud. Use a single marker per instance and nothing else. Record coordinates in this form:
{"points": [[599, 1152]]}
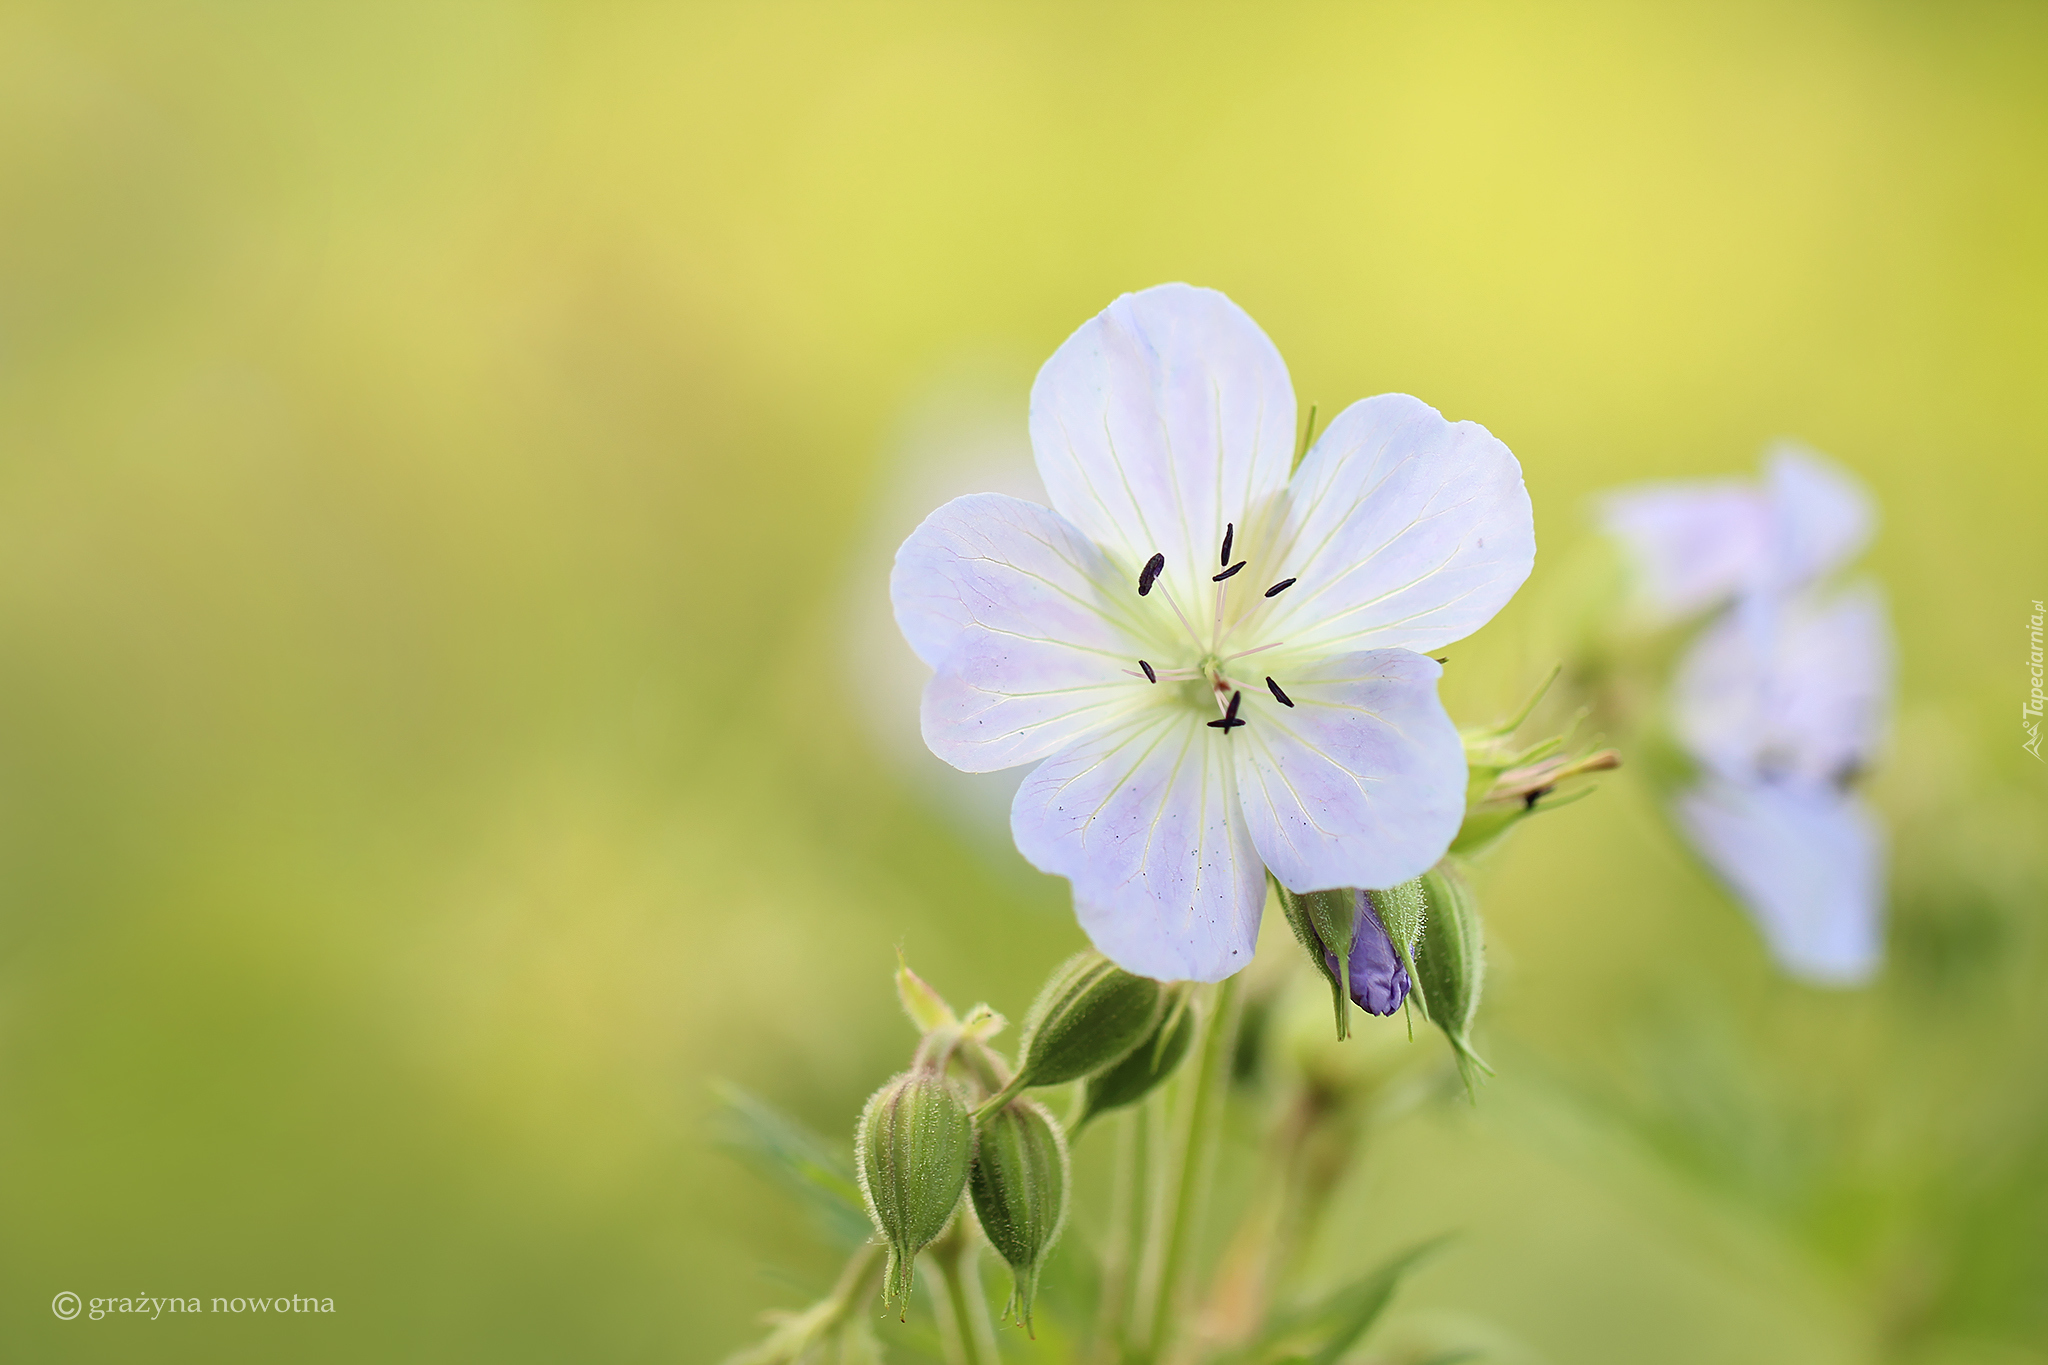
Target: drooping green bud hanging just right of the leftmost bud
{"points": [[1021, 1192]]}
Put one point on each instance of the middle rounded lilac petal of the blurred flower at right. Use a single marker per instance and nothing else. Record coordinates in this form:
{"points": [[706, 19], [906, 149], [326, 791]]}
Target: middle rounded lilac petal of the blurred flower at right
{"points": [[1795, 691]]}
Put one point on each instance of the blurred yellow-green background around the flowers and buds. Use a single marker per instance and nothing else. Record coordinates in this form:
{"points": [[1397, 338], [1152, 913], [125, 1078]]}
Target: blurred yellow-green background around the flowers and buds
{"points": [[437, 447]]}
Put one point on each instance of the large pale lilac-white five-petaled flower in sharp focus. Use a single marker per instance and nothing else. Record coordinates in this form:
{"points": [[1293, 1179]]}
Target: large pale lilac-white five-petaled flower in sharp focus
{"points": [[1220, 668]]}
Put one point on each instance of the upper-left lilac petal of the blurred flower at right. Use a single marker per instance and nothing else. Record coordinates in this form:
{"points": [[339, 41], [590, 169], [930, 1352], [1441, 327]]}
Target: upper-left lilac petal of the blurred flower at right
{"points": [[1691, 543]]}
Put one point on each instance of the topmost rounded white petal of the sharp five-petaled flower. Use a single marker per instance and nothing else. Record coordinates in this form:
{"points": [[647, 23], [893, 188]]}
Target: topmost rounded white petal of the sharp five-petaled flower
{"points": [[1158, 423]]}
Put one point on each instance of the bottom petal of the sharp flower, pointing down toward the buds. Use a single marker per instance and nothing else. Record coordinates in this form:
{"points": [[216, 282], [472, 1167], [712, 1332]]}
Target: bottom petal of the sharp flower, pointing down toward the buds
{"points": [[1144, 822]]}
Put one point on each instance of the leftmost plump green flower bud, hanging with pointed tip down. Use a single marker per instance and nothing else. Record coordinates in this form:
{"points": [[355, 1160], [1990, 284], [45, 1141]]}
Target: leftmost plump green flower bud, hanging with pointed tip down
{"points": [[912, 1147]]}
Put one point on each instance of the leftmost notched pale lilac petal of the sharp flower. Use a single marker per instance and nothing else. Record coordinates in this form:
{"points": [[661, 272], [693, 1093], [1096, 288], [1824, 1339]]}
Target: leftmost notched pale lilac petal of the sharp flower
{"points": [[1021, 617]]}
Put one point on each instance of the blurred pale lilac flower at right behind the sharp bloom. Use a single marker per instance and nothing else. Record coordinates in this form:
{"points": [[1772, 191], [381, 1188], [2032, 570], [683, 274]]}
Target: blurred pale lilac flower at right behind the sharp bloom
{"points": [[1781, 701]]}
